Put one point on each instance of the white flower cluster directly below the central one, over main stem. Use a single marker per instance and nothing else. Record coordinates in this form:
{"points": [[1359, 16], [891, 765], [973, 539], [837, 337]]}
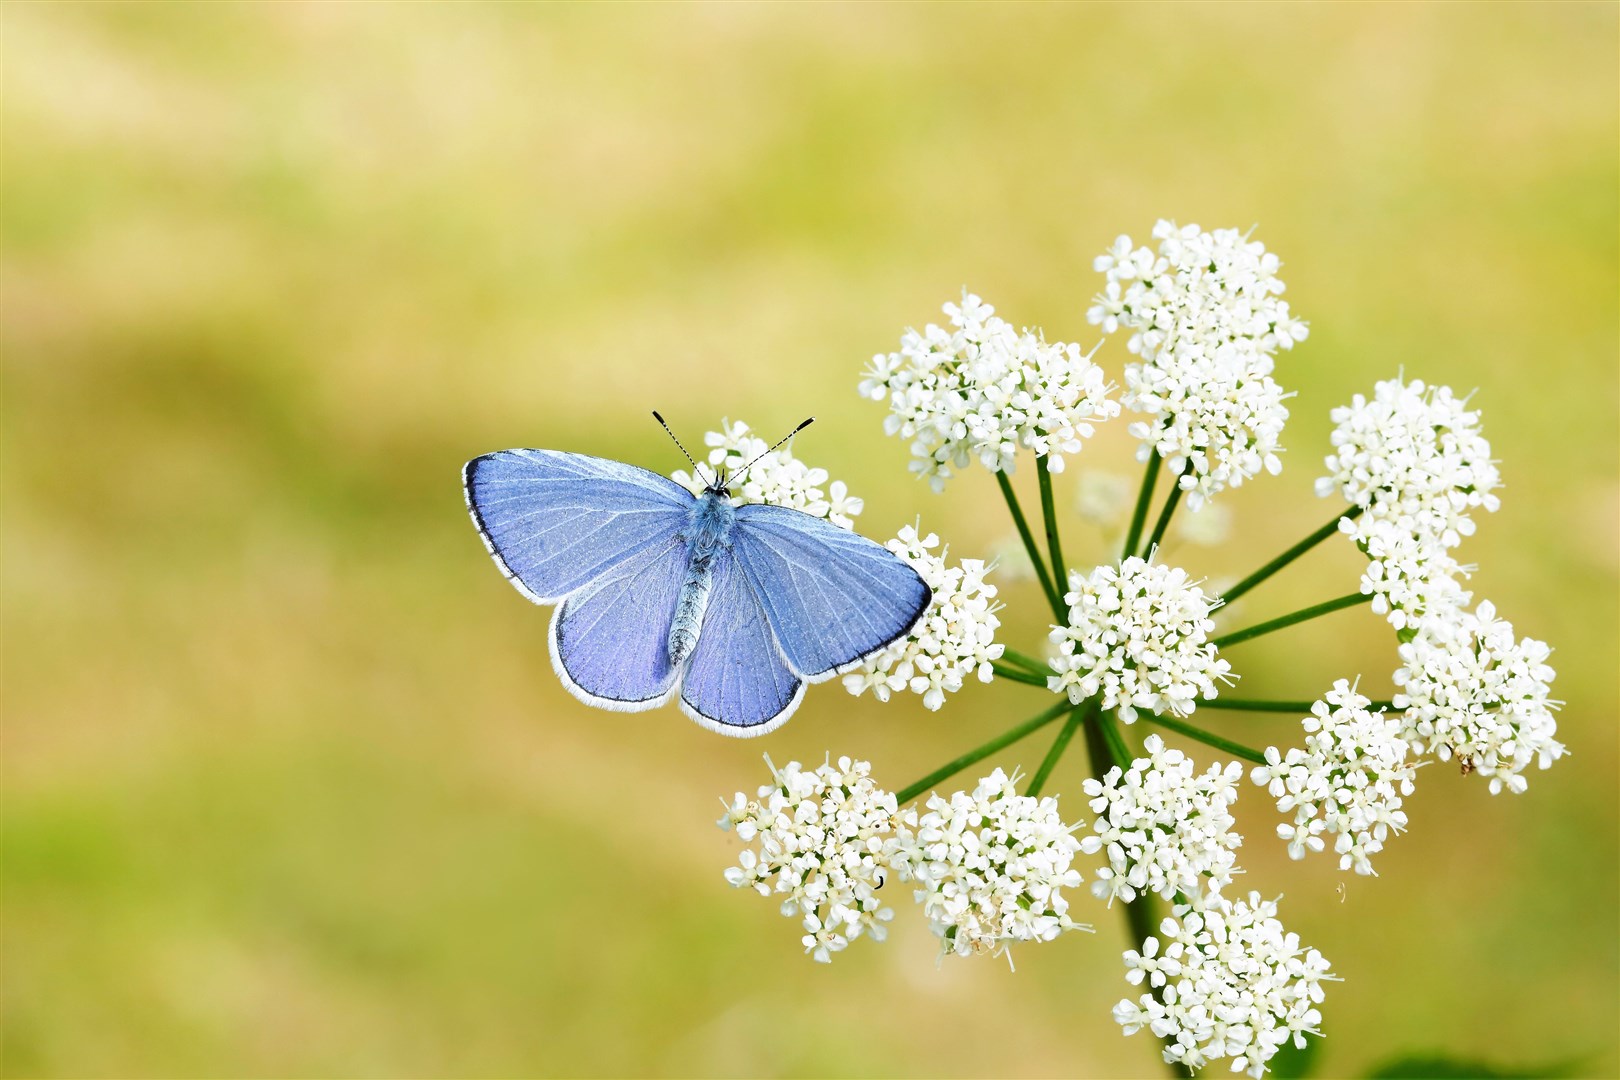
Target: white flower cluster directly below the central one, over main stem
{"points": [[1164, 828]]}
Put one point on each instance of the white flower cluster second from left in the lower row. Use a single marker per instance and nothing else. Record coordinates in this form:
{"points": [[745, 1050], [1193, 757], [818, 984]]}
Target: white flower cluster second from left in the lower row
{"points": [[992, 867]]}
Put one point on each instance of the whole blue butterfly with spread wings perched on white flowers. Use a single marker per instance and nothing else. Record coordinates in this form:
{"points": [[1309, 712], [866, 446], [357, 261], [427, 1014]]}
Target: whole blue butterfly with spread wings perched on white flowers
{"points": [[662, 592]]}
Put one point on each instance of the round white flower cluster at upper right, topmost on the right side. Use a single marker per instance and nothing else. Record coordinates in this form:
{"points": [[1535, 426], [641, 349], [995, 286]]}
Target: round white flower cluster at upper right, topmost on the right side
{"points": [[1413, 456]]}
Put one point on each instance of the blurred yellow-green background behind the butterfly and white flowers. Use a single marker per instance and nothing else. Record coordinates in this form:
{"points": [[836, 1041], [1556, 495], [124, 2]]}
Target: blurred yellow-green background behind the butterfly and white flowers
{"points": [[291, 788]]}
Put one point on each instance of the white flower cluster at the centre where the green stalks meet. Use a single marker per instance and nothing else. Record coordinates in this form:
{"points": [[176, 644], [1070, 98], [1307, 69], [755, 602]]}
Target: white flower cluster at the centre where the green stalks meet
{"points": [[1140, 637]]}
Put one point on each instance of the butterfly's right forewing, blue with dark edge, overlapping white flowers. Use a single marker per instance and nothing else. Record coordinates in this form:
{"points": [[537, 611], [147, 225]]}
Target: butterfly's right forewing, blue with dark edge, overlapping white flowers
{"points": [[832, 597]]}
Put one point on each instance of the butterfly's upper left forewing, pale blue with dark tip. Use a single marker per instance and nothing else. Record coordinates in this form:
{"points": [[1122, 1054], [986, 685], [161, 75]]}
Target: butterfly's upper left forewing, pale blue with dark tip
{"points": [[556, 522]]}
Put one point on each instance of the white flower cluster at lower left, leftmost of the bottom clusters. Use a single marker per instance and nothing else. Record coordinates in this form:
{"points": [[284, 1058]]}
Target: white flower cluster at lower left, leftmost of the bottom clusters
{"points": [[822, 841]]}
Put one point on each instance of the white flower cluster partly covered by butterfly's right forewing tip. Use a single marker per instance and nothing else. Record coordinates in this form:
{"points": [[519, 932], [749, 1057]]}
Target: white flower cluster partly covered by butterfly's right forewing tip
{"points": [[955, 639]]}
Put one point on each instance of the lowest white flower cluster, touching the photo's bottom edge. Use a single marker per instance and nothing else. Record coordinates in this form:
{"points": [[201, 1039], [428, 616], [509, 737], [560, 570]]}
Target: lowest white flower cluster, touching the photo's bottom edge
{"points": [[1232, 985]]}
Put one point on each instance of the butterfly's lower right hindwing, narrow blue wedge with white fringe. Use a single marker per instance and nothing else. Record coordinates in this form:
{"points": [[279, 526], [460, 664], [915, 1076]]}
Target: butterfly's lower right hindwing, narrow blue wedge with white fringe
{"points": [[738, 682]]}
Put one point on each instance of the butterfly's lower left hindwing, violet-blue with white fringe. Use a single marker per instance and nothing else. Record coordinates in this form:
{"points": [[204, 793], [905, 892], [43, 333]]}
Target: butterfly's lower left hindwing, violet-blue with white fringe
{"points": [[610, 642]]}
